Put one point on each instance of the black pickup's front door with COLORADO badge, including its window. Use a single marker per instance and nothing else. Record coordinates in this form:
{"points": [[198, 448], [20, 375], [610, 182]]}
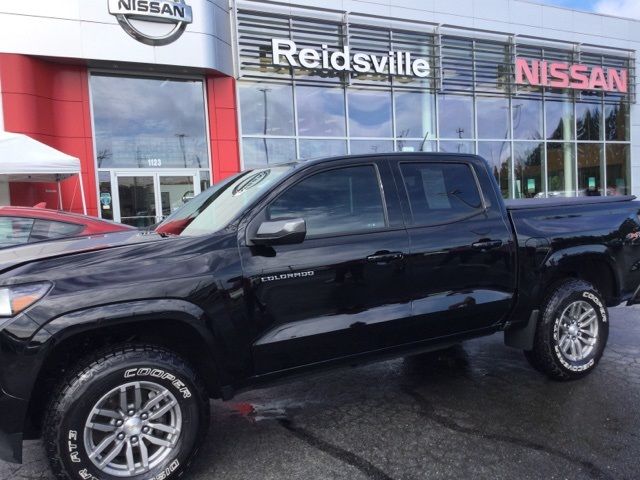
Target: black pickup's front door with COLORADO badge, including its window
{"points": [[342, 289]]}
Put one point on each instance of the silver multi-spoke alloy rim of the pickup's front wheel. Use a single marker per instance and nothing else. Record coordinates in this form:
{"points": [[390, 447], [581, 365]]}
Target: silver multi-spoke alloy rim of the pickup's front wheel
{"points": [[132, 429]]}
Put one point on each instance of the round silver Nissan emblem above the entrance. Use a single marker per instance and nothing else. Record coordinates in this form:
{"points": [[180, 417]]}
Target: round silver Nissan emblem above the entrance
{"points": [[154, 22]]}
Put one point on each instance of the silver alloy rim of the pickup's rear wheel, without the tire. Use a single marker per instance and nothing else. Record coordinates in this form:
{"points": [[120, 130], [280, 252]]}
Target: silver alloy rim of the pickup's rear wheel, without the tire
{"points": [[578, 331]]}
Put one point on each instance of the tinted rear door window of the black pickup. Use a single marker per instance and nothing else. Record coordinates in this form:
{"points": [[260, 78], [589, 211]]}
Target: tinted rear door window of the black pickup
{"points": [[440, 192]]}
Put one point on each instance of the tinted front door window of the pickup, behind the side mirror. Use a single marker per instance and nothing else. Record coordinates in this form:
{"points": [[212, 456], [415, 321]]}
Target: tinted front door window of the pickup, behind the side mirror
{"points": [[343, 200]]}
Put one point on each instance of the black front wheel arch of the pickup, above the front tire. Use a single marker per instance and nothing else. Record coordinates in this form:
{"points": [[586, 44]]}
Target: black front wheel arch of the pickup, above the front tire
{"points": [[178, 327]]}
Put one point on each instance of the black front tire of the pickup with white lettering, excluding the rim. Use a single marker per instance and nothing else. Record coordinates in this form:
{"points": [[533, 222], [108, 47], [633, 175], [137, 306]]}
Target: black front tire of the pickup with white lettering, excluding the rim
{"points": [[77, 394]]}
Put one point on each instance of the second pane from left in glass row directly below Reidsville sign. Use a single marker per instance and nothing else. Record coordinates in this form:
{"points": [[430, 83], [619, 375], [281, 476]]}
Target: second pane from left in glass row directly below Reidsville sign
{"points": [[320, 111]]}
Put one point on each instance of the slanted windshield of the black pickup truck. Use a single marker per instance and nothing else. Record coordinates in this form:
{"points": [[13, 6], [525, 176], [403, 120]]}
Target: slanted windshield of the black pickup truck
{"points": [[214, 208]]}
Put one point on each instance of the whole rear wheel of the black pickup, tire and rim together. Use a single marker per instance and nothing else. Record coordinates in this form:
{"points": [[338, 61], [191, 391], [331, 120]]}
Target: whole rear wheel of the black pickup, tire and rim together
{"points": [[572, 334]]}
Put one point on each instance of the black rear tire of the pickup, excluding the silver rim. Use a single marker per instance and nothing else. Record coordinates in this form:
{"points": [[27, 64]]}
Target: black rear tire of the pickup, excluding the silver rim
{"points": [[546, 355]]}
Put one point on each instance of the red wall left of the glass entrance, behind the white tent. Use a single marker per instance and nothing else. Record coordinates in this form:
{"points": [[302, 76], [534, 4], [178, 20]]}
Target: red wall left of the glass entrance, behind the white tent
{"points": [[50, 102]]}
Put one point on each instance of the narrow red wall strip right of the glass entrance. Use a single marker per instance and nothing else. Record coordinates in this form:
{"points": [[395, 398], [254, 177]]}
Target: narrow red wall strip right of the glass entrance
{"points": [[223, 126]]}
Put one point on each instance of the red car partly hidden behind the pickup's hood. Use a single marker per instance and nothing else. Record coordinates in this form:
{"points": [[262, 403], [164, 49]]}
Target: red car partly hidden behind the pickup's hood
{"points": [[22, 225]]}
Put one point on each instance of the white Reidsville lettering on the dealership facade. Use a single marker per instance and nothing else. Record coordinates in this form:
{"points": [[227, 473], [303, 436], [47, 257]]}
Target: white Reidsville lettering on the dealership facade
{"points": [[286, 52]]}
